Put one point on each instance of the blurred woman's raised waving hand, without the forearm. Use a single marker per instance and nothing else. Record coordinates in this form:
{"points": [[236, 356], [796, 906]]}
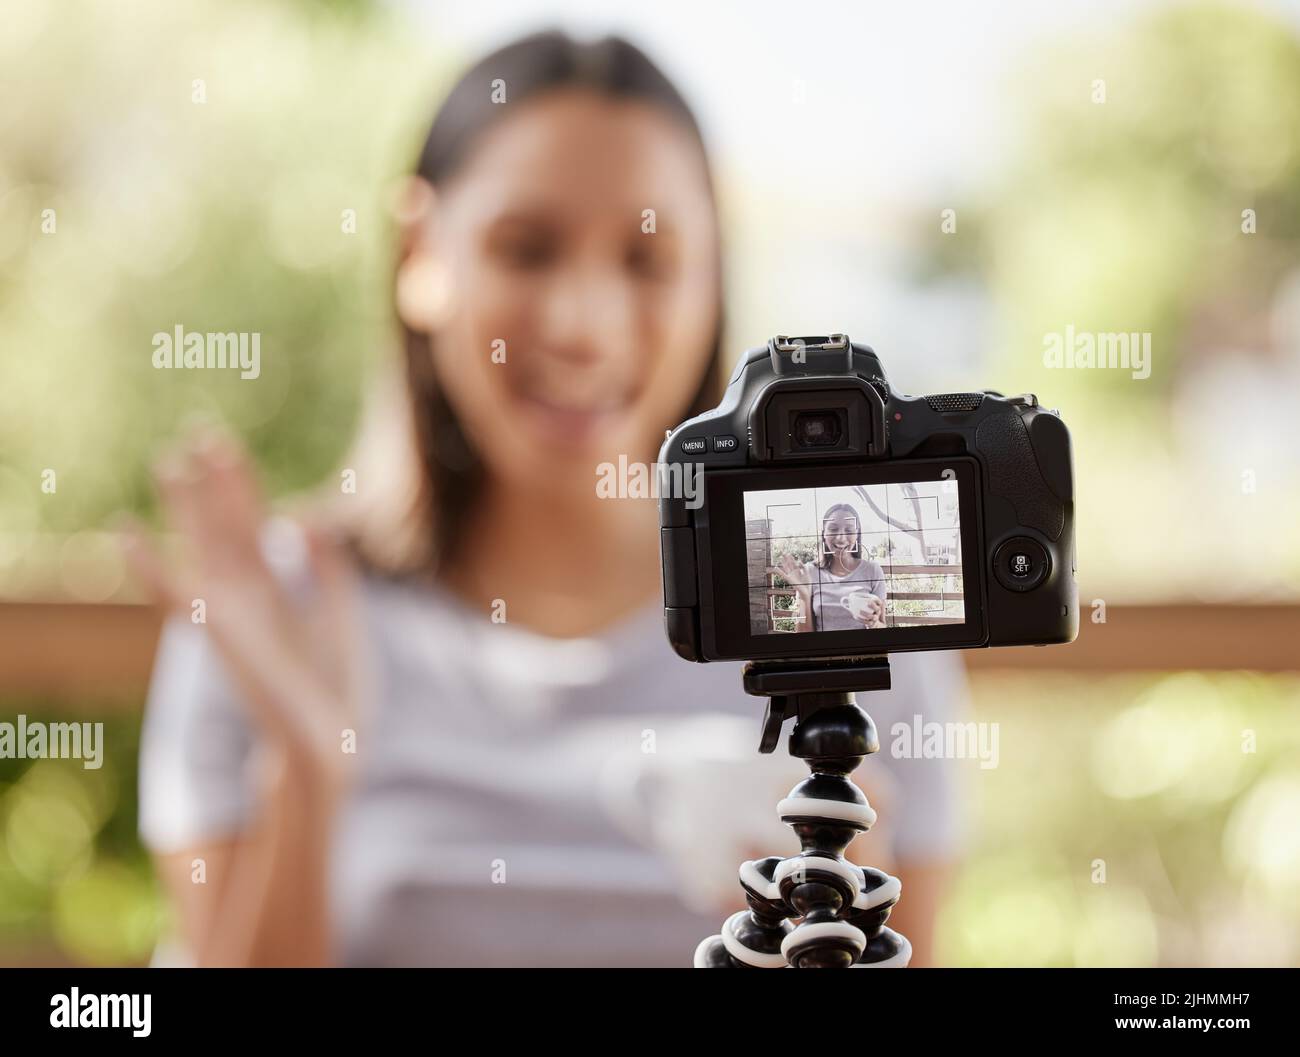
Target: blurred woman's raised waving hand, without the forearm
{"points": [[298, 669]]}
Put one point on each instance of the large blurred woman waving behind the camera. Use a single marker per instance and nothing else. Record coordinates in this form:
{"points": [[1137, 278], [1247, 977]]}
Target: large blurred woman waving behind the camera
{"points": [[432, 746]]}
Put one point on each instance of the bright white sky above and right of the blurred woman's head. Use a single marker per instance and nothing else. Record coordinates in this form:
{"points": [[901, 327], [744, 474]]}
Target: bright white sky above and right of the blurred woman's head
{"points": [[837, 129]]}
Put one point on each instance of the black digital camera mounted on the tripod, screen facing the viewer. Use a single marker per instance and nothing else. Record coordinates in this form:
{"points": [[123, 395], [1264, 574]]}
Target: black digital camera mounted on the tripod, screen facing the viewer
{"points": [[834, 518]]}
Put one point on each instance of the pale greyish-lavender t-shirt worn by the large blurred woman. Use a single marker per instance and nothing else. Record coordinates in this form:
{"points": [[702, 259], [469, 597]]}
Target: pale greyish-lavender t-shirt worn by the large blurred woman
{"points": [[532, 802]]}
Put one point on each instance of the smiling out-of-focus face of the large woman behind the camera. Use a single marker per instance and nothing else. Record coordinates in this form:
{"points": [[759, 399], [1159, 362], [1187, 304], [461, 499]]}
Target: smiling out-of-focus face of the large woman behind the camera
{"points": [[571, 324]]}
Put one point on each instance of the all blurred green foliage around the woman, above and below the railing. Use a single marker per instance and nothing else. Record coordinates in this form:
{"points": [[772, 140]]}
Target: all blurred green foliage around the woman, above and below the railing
{"points": [[1121, 216]]}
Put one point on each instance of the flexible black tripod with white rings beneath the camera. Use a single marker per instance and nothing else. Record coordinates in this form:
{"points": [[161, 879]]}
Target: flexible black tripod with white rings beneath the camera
{"points": [[840, 908]]}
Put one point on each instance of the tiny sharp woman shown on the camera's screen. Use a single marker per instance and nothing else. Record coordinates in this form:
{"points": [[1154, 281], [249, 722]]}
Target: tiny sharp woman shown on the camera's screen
{"points": [[839, 591]]}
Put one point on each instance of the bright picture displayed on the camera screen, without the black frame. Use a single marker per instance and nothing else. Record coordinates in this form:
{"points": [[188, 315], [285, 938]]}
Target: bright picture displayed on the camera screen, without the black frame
{"points": [[855, 557]]}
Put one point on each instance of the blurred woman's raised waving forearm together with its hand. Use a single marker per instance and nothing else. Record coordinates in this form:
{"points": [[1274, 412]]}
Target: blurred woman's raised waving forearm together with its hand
{"points": [[298, 675]]}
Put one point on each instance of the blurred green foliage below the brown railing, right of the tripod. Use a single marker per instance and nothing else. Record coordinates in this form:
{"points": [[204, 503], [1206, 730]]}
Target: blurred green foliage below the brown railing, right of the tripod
{"points": [[1147, 822]]}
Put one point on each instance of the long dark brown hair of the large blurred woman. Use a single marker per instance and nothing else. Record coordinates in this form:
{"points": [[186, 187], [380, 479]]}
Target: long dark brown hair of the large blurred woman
{"points": [[439, 500]]}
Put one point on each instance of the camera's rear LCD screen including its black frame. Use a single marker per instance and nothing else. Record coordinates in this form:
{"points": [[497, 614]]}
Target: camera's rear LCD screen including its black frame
{"points": [[842, 561]]}
